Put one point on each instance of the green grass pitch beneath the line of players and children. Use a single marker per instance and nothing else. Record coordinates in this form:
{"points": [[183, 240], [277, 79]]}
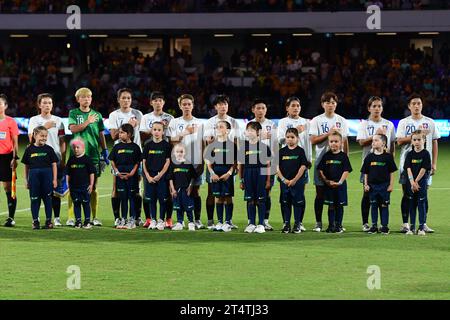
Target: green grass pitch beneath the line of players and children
{"points": [[144, 264]]}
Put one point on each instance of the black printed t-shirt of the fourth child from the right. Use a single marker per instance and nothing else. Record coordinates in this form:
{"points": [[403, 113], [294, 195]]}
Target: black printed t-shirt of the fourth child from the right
{"points": [[291, 160]]}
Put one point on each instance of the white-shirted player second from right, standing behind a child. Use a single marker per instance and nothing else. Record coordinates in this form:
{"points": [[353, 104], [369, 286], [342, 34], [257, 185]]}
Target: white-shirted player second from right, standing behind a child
{"points": [[374, 125]]}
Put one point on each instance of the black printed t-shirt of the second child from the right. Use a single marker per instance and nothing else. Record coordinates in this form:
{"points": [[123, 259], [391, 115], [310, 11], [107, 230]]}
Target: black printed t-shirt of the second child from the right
{"points": [[379, 167]]}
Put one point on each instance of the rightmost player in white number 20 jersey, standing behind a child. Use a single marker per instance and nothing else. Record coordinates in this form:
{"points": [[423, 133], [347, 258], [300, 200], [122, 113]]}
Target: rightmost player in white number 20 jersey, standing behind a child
{"points": [[406, 126]]}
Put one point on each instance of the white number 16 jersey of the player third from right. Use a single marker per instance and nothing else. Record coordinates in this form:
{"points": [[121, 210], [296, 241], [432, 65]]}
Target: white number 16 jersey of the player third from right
{"points": [[321, 125]]}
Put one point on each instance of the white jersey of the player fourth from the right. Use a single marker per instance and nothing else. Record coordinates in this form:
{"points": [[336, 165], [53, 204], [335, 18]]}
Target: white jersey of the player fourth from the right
{"points": [[303, 137]]}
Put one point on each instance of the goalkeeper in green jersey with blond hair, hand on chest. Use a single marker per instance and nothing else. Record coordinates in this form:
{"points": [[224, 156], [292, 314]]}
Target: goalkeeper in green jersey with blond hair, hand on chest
{"points": [[86, 123]]}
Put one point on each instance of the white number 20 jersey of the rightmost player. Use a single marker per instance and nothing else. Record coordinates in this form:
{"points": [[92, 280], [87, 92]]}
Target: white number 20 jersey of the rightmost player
{"points": [[407, 126]]}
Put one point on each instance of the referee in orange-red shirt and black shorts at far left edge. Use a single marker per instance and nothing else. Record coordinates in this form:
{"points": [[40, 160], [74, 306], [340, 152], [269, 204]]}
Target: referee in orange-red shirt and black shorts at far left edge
{"points": [[9, 149]]}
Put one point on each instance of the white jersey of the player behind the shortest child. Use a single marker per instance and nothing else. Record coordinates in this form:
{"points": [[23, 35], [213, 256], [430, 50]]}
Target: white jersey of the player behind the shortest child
{"points": [[193, 141]]}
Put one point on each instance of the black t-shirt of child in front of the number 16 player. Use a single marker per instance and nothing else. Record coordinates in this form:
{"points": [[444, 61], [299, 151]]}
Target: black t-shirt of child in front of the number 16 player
{"points": [[334, 165]]}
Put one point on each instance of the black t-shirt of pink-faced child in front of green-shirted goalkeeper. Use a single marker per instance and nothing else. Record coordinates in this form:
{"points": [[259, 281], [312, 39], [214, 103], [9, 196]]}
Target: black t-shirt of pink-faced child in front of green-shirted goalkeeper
{"points": [[78, 169]]}
